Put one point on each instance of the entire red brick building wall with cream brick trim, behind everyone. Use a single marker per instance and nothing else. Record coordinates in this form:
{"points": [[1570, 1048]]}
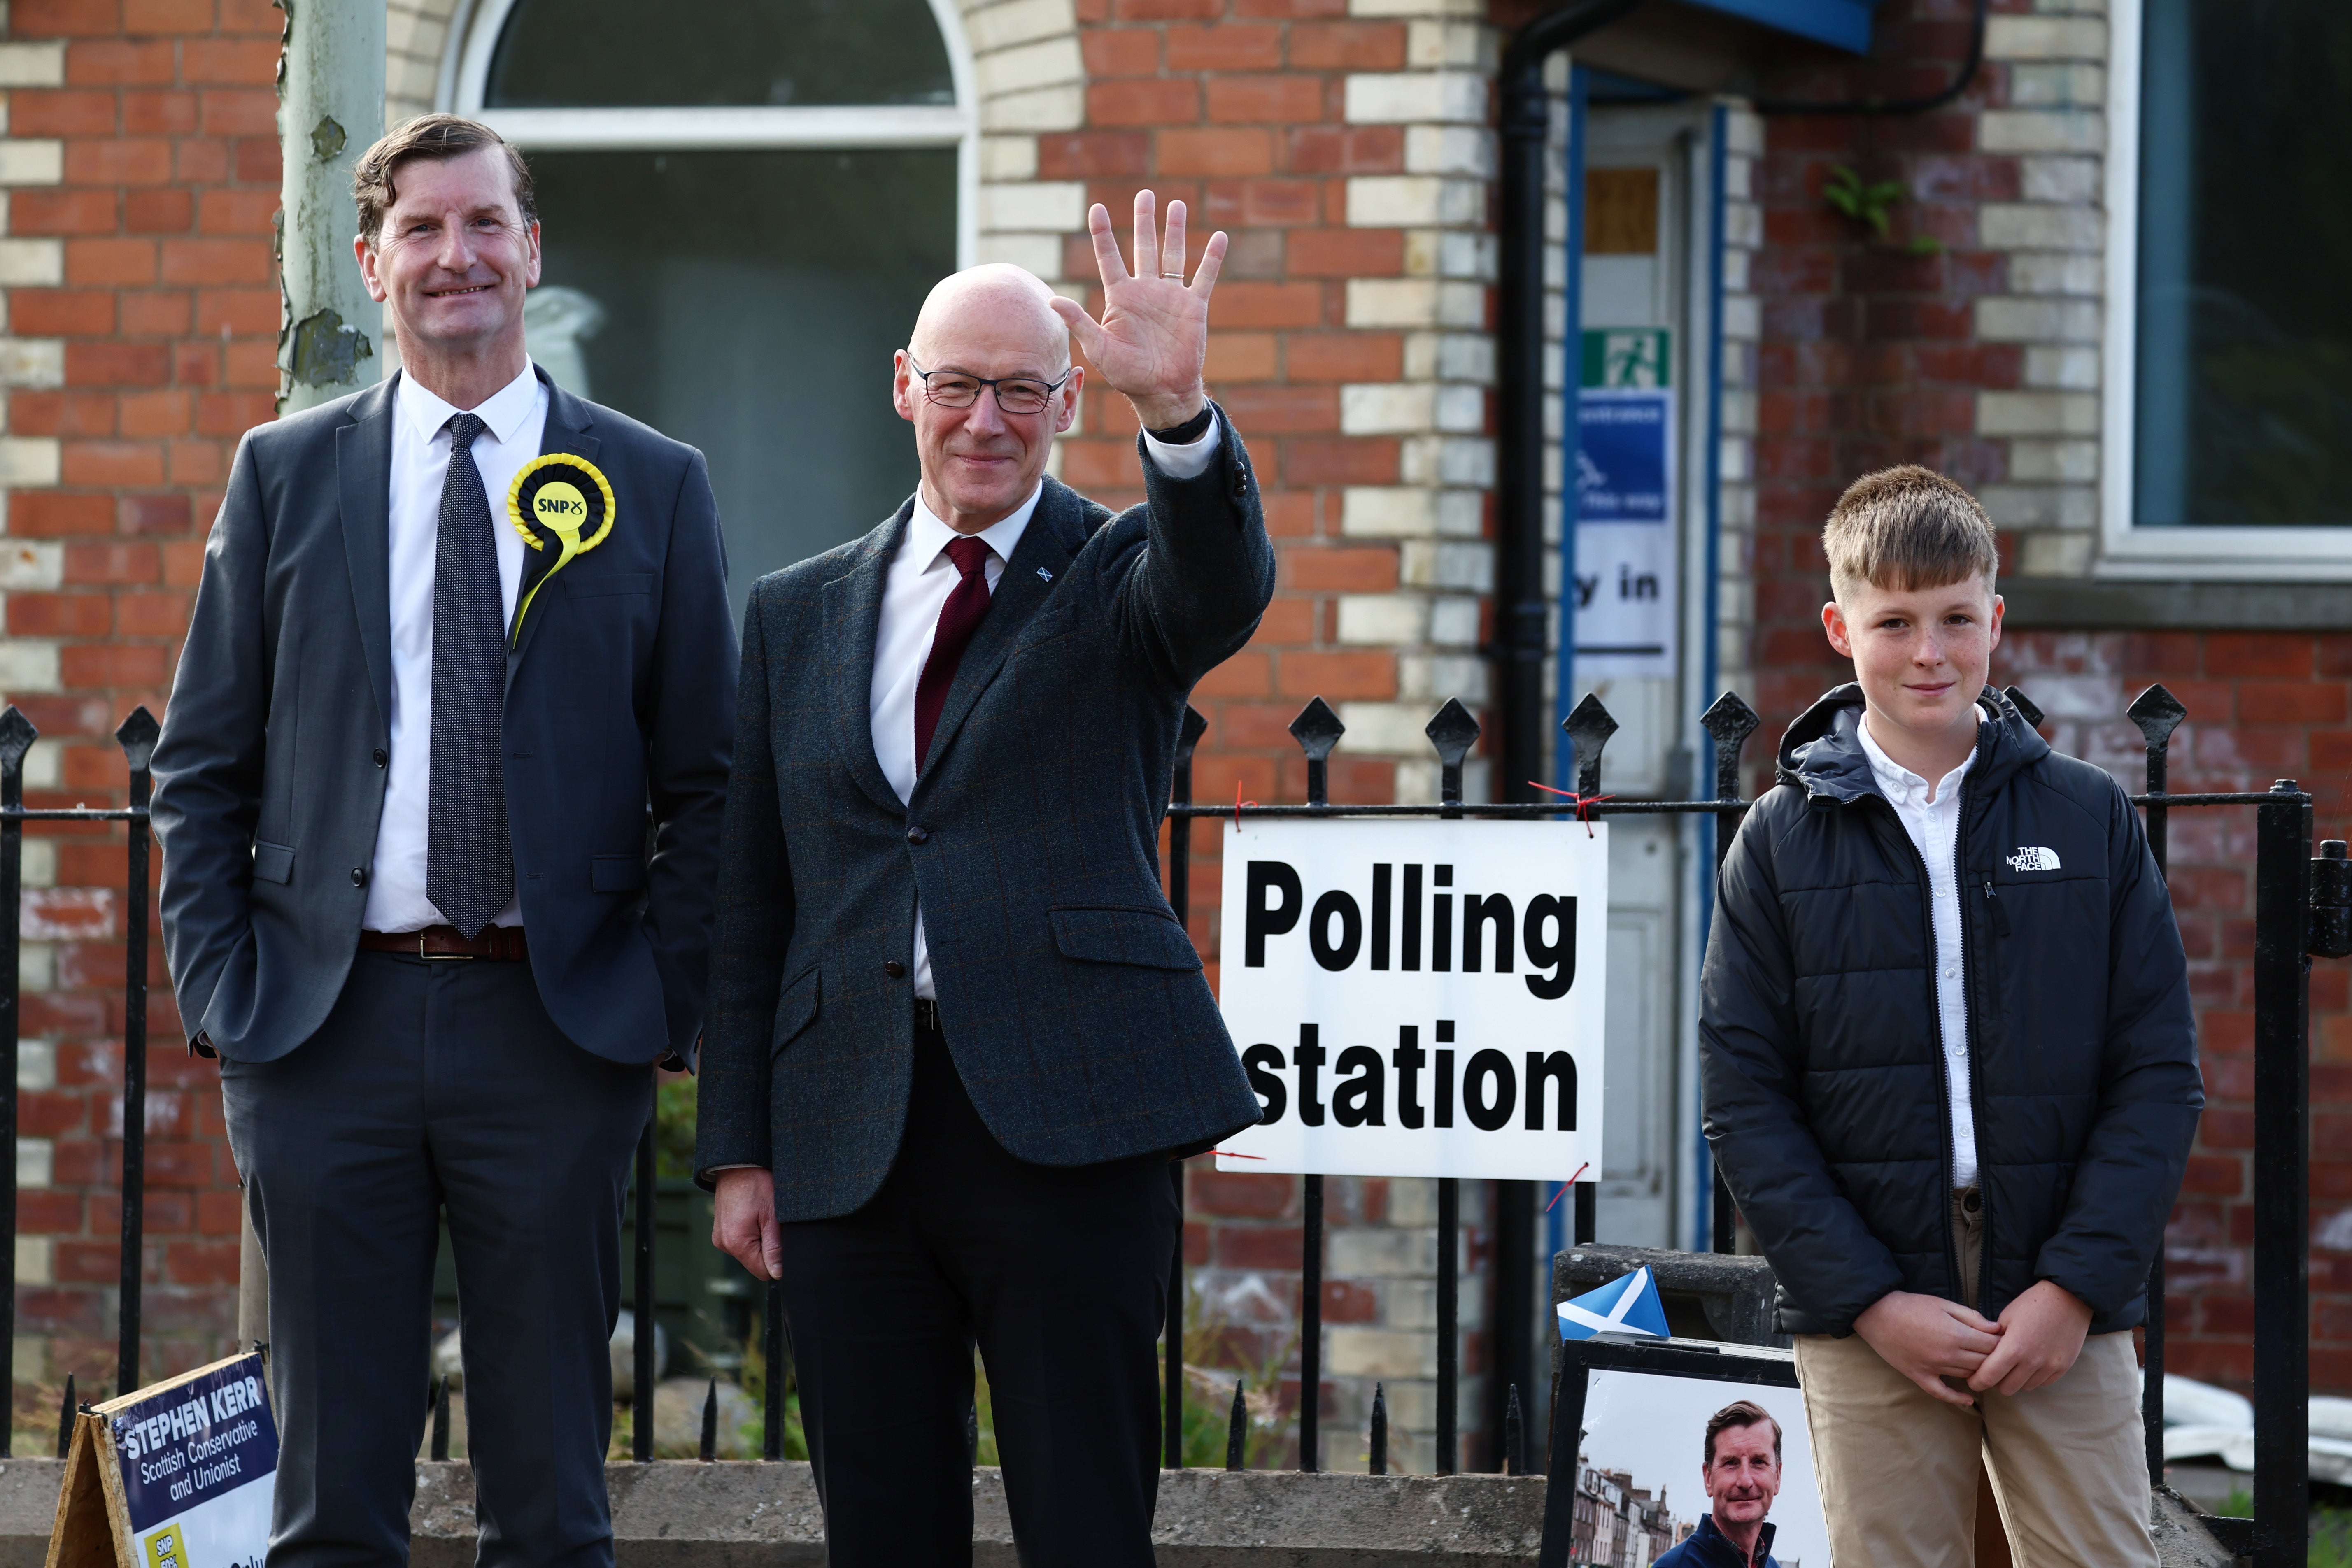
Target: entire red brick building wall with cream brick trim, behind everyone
{"points": [[1347, 145]]}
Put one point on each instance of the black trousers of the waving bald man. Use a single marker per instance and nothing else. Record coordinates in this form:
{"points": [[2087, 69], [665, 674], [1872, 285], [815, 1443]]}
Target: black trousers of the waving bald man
{"points": [[1060, 1275]]}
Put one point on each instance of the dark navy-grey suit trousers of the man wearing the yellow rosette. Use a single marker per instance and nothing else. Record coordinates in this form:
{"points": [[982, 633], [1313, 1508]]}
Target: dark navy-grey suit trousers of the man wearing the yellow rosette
{"points": [[439, 1087]]}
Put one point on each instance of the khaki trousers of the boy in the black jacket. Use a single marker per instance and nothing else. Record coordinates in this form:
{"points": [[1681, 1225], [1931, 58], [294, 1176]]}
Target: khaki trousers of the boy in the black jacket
{"points": [[1899, 1470]]}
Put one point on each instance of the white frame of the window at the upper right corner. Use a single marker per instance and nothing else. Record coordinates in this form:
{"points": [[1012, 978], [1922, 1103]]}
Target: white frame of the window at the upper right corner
{"points": [[2196, 551]]}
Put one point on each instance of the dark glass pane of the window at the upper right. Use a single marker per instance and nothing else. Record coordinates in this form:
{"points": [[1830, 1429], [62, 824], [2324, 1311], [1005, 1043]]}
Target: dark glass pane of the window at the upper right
{"points": [[2245, 354]]}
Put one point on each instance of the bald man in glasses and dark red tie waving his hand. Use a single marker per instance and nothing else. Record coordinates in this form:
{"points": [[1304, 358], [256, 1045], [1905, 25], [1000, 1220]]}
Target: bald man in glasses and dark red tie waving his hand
{"points": [[956, 1031]]}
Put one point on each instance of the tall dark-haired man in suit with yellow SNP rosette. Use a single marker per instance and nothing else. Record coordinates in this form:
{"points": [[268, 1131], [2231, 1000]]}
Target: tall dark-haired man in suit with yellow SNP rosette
{"points": [[441, 815]]}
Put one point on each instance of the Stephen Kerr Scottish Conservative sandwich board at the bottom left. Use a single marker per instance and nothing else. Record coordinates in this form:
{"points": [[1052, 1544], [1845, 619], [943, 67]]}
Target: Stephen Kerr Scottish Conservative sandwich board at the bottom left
{"points": [[178, 1475]]}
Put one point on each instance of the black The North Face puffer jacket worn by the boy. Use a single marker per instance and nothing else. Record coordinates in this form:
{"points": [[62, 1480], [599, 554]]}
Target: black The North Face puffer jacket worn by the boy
{"points": [[1826, 1101]]}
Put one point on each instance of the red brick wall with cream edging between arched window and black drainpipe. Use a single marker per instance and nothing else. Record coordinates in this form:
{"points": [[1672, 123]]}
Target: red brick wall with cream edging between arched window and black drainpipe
{"points": [[1347, 152]]}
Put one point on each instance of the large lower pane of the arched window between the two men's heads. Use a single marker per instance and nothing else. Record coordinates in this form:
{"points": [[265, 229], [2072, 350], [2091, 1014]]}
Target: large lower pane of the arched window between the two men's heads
{"points": [[749, 304]]}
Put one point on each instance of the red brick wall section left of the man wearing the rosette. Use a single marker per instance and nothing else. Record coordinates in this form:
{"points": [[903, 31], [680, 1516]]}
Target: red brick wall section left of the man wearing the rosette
{"points": [[142, 314]]}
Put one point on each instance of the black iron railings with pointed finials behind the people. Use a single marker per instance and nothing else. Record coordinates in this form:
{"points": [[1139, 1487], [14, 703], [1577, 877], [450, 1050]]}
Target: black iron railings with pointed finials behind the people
{"points": [[2304, 909]]}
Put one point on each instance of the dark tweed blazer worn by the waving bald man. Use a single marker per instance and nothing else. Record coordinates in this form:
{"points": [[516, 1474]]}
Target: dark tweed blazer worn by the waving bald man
{"points": [[1071, 1000]]}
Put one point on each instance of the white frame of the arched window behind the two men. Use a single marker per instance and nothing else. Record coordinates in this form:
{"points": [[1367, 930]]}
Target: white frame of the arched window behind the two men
{"points": [[791, 128]]}
